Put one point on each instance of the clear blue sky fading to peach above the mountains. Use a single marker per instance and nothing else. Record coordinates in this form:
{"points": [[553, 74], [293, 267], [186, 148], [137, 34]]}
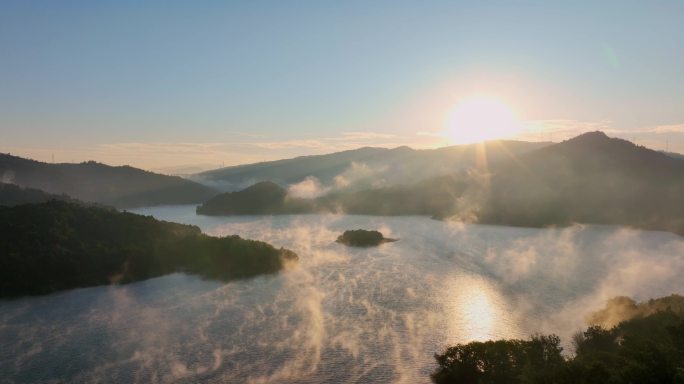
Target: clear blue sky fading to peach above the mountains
{"points": [[183, 86]]}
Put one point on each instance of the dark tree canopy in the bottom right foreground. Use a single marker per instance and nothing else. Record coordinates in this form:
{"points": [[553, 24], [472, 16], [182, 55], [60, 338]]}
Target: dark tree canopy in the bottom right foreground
{"points": [[648, 348]]}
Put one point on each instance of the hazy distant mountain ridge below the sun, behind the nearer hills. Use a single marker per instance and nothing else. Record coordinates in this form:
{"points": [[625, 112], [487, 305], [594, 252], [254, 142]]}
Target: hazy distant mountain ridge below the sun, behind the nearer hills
{"points": [[365, 167]]}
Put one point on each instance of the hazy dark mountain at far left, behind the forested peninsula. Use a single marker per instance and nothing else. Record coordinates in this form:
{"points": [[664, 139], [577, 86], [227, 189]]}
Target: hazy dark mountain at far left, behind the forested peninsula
{"points": [[94, 182]]}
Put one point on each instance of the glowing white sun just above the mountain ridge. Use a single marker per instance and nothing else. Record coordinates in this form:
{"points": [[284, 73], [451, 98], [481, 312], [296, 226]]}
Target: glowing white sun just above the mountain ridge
{"points": [[481, 118]]}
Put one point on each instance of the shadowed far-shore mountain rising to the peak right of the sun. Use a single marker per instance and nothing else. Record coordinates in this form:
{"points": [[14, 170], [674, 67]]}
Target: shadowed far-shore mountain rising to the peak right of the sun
{"points": [[588, 179]]}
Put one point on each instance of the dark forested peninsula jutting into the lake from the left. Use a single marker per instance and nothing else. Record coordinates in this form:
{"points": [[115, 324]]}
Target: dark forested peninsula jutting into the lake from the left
{"points": [[59, 245]]}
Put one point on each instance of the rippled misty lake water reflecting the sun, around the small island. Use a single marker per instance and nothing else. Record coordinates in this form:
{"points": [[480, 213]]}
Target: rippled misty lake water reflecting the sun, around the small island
{"points": [[342, 314]]}
